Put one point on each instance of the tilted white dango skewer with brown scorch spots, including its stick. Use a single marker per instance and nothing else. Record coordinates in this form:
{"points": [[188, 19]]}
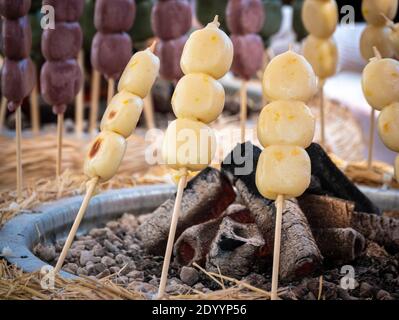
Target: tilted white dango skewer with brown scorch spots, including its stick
{"points": [[118, 123]]}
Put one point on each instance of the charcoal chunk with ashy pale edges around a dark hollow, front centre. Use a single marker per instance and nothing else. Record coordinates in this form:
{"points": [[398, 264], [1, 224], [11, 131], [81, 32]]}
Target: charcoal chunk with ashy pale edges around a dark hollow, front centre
{"points": [[235, 248]]}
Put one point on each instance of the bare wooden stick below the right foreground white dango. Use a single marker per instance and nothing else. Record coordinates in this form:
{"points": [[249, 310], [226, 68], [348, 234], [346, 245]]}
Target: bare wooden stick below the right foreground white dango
{"points": [[277, 243]]}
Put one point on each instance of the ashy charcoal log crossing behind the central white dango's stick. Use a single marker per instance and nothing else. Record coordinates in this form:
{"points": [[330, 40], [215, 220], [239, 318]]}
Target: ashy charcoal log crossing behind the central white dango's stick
{"points": [[205, 198]]}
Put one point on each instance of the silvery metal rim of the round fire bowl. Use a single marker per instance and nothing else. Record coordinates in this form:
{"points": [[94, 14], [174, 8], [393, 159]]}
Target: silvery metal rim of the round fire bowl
{"points": [[51, 222]]}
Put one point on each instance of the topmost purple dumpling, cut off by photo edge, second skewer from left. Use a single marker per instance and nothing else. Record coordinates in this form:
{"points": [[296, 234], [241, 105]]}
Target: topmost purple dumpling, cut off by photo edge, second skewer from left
{"points": [[66, 11]]}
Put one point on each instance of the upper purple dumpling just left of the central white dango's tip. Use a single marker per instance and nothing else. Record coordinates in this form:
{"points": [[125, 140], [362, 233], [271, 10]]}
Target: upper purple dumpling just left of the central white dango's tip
{"points": [[171, 19]]}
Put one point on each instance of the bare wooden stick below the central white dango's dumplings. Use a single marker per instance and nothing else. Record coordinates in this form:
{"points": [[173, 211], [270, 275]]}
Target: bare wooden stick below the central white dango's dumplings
{"points": [[172, 233]]}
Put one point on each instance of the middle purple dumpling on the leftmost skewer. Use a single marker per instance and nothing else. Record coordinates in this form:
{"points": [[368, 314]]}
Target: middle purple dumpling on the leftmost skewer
{"points": [[17, 38]]}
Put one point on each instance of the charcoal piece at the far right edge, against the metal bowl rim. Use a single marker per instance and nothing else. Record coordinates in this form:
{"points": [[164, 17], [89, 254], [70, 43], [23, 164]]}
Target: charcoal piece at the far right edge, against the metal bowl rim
{"points": [[383, 230]]}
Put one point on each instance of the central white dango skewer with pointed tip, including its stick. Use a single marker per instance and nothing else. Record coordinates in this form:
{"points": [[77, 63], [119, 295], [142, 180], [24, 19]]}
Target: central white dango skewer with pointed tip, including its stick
{"points": [[198, 100]]}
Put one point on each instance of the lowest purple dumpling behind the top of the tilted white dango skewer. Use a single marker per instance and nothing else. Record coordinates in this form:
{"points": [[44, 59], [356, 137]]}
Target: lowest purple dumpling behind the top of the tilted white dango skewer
{"points": [[111, 53]]}
